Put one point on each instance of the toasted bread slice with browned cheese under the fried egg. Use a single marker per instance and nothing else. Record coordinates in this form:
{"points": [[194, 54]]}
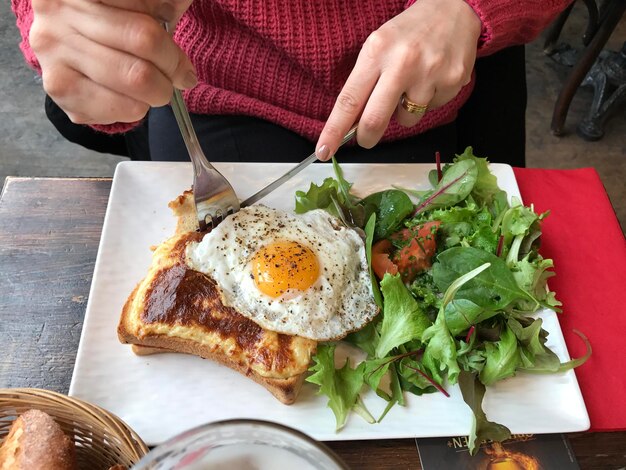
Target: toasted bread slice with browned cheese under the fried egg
{"points": [[177, 309]]}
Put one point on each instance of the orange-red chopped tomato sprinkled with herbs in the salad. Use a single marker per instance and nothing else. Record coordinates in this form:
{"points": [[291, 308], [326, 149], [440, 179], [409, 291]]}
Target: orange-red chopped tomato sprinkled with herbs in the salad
{"points": [[418, 247]]}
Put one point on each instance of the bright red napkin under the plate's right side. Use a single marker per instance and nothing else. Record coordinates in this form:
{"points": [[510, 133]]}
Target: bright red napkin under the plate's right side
{"points": [[584, 238]]}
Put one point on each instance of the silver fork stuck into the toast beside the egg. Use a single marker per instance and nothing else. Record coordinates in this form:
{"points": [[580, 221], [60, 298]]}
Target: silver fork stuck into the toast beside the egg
{"points": [[213, 194]]}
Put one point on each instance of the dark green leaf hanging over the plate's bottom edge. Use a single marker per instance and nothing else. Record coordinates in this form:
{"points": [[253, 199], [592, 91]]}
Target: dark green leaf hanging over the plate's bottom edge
{"points": [[482, 429]]}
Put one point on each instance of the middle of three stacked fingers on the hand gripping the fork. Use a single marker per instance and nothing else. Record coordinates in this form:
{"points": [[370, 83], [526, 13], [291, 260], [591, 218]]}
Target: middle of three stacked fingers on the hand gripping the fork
{"points": [[120, 72]]}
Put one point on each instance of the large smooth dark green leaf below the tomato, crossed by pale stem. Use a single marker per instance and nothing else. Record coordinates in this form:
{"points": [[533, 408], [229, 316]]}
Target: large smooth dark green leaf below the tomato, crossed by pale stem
{"points": [[493, 289]]}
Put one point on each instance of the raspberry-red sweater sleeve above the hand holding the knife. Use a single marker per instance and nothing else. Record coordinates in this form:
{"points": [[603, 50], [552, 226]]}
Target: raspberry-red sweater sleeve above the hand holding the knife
{"points": [[511, 22]]}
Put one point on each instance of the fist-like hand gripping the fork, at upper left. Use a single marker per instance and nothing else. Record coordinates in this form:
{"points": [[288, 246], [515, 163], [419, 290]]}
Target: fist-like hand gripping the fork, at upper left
{"points": [[111, 60]]}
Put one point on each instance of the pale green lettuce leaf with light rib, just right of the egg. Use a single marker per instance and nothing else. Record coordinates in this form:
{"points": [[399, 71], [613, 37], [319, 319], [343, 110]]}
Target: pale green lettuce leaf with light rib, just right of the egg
{"points": [[403, 319]]}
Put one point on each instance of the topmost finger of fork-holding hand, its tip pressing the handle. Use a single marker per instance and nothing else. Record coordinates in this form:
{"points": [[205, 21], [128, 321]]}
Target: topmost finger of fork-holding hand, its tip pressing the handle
{"points": [[140, 35]]}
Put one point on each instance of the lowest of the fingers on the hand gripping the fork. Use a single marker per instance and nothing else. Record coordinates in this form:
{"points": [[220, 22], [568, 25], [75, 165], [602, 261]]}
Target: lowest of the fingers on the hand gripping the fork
{"points": [[86, 102]]}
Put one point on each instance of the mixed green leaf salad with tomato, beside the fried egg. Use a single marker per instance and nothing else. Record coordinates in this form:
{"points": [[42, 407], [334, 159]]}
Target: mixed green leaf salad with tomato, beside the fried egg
{"points": [[457, 276]]}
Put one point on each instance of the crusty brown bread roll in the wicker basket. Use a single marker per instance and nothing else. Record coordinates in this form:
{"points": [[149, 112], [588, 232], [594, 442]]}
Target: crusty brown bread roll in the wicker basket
{"points": [[36, 442]]}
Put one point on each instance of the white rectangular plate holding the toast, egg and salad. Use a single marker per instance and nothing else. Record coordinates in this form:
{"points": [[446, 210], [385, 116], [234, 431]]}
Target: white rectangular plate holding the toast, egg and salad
{"points": [[160, 396]]}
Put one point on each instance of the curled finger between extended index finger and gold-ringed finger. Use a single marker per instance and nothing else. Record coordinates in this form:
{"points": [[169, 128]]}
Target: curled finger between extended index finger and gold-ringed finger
{"points": [[378, 111]]}
